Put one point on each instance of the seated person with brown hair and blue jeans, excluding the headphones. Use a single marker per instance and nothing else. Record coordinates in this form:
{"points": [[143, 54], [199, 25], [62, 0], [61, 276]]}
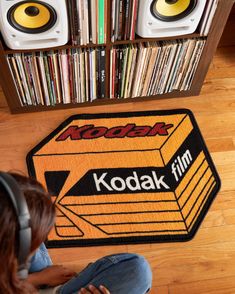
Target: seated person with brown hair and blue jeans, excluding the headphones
{"points": [[123, 273]]}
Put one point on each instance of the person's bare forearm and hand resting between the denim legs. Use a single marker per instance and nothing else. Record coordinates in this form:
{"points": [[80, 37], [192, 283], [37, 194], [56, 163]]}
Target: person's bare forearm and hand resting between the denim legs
{"points": [[51, 276]]}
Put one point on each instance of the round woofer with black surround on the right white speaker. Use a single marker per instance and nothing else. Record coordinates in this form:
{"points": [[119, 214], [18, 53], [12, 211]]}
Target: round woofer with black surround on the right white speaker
{"points": [[172, 10]]}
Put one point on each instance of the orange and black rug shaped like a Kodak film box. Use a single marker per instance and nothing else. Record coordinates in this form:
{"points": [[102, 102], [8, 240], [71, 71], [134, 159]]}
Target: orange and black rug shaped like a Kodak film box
{"points": [[126, 178]]}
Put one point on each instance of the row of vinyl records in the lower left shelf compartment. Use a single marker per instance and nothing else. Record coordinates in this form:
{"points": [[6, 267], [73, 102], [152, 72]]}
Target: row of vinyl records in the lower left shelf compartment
{"points": [[63, 76]]}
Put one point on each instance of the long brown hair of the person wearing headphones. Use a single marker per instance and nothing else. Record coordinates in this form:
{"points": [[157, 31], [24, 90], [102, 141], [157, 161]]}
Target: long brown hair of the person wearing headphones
{"points": [[42, 213]]}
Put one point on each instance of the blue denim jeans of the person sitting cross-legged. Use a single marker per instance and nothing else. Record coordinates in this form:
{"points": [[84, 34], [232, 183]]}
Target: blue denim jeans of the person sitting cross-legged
{"points": [[120, 273]]}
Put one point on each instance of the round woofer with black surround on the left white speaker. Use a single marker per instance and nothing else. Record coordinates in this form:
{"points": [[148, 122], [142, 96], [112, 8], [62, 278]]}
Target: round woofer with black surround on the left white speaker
{"points": [[32, 17]]}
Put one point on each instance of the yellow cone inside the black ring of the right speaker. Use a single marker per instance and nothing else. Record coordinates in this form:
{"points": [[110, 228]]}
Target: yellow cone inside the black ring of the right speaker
{"points": [[166, 9]]}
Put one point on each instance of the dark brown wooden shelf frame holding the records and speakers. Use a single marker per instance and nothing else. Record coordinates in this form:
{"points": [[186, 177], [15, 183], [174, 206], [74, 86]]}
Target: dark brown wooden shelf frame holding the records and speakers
{"points": [[8, 85]]}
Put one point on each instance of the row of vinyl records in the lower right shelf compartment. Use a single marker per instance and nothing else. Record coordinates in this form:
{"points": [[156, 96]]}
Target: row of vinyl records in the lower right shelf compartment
{"points": [[146, 69]]}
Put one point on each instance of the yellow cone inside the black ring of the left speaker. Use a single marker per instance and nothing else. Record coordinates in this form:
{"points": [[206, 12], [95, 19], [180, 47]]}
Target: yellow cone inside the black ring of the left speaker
{"points": [[31, 15]]}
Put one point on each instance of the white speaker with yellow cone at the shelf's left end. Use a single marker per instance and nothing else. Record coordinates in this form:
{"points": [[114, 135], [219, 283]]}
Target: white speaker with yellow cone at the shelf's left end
{"points": [[34, 24]]}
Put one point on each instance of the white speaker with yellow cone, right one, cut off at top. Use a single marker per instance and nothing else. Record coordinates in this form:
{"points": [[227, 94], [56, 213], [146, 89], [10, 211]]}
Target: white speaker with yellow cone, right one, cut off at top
{"points": [[166, 18]]}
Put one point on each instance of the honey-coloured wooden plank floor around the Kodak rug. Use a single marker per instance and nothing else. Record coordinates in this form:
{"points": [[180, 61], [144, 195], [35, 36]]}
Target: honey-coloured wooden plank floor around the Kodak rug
{"points": [[207, 263]]}
